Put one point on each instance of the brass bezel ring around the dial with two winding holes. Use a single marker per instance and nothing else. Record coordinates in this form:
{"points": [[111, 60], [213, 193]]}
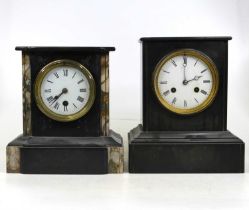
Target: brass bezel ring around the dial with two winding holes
{"points": [[214, 73]]}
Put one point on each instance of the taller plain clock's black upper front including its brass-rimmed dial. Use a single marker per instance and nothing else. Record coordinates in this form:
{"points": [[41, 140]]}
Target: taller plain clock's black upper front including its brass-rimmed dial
{"points": [[203, 109]]}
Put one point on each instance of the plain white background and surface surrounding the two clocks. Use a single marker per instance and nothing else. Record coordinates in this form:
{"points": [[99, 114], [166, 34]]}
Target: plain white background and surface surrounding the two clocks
{"points": [[121, 24]]}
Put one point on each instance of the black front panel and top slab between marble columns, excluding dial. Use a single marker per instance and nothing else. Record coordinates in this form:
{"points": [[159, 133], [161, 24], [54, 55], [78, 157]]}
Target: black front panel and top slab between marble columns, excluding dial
{"points": [[90, 57]]}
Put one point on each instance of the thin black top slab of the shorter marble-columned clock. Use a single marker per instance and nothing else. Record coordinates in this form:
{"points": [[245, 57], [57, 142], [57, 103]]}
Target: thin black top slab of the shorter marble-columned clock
{"points": [[65, 49]]}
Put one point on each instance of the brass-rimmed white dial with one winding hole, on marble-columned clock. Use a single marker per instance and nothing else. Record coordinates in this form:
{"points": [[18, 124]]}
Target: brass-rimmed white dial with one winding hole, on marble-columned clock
{"points": [[64, 90]]}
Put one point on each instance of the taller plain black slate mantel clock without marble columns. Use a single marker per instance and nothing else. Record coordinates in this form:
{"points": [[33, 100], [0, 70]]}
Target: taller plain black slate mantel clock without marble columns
{"points": [[185, 109]]}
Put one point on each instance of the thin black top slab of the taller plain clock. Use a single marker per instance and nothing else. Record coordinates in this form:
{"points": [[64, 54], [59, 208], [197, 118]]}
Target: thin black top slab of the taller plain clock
{"points": [[210, 38]]}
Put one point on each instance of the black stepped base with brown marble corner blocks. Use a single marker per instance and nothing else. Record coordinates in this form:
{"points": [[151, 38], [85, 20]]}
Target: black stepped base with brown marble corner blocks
{"points": [[65, 155]]}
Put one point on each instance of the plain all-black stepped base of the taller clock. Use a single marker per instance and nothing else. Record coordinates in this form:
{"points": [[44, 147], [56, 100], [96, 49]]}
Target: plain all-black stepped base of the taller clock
{"points": [[185, 152]]}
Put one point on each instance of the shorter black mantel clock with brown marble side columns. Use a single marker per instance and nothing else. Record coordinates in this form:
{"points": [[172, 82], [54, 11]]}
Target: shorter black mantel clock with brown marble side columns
{"points": [[65, 114]]}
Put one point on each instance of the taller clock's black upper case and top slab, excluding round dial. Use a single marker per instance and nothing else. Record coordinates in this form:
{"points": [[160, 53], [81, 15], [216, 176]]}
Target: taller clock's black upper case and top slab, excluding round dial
{"points": [[158, 118]]}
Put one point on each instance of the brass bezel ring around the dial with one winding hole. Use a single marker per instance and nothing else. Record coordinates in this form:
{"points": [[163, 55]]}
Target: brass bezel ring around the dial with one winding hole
{"points": [[37, 90]]}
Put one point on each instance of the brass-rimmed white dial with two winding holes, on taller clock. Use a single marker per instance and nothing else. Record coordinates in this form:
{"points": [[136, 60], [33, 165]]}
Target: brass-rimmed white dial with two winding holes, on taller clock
{"points": [[185, 81]]}
